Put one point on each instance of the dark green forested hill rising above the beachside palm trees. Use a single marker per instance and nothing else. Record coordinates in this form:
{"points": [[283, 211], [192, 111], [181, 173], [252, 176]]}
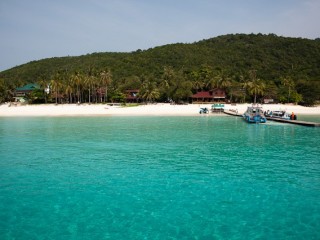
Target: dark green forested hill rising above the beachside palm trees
{"points": [[270, 55]]}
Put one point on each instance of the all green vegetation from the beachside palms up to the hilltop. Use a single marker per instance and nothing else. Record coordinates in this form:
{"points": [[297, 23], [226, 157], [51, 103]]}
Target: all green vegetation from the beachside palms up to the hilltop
{"points": [[249, 67]]}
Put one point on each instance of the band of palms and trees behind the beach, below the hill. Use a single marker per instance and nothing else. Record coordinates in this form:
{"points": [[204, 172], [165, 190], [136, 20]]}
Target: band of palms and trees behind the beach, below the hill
{"points": [[171, 86]]}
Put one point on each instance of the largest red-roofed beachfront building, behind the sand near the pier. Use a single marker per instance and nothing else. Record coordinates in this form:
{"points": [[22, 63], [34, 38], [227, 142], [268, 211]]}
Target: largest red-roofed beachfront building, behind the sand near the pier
{"points": [[214, 95]]}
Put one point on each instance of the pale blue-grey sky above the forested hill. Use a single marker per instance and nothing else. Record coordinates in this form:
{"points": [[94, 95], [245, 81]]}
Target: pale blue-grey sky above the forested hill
{"points": [[37, 29]]}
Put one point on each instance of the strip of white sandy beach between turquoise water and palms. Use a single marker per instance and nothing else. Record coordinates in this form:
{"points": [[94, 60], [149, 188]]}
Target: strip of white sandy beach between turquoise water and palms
{"points": [[160, 109]]}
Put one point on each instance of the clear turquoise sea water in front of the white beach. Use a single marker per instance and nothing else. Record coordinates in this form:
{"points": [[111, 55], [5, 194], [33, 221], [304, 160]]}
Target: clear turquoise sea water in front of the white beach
{"points": [[200, 177]]}
